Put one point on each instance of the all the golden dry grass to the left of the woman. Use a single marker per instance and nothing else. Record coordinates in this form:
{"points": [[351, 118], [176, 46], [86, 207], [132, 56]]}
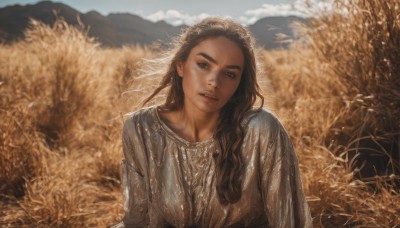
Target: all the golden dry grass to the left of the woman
{"points": [[60, 141]]}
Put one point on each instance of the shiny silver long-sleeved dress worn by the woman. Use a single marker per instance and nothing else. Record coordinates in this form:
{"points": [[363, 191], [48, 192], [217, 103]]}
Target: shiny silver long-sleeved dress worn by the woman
{"points": [[170, 182]]}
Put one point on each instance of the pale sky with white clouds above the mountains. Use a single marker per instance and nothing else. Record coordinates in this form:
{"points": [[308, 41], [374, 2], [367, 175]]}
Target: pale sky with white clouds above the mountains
{"points": [[178, 12]]}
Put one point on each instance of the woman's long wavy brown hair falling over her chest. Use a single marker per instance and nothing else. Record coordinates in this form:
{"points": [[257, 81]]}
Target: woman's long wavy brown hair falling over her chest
{"points": [[229, 133]]}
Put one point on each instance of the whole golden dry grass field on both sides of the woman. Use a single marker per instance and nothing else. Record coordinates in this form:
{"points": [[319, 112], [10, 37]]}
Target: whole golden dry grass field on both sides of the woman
{"points": [[63, 99]]}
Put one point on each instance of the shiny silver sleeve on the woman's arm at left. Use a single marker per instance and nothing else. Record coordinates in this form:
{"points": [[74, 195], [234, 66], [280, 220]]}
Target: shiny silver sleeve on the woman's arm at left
{"points": [[132, 180]]}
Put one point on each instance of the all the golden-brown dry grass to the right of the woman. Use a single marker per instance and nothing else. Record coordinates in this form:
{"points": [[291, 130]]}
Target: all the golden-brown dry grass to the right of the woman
{"points": [[337, 92]]}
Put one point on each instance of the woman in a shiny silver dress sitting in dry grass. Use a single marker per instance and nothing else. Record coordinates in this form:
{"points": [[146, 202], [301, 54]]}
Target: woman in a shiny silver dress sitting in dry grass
{"points": [[206, 158]]}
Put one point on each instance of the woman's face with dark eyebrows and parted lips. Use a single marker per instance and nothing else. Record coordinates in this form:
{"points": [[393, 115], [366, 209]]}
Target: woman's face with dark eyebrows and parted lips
{"points": [[211, 74]]}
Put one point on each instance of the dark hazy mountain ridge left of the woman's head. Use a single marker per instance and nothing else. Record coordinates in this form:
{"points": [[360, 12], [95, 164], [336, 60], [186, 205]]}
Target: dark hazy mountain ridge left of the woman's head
{"points": [[113, 30]]}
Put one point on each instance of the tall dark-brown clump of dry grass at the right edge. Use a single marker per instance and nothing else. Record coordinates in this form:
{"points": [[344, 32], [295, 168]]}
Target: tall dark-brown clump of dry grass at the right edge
{"points": [[361, 44]]}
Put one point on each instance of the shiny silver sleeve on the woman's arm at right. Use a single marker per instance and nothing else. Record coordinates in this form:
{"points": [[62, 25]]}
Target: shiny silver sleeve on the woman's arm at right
{"points": [[282, 192]]}
